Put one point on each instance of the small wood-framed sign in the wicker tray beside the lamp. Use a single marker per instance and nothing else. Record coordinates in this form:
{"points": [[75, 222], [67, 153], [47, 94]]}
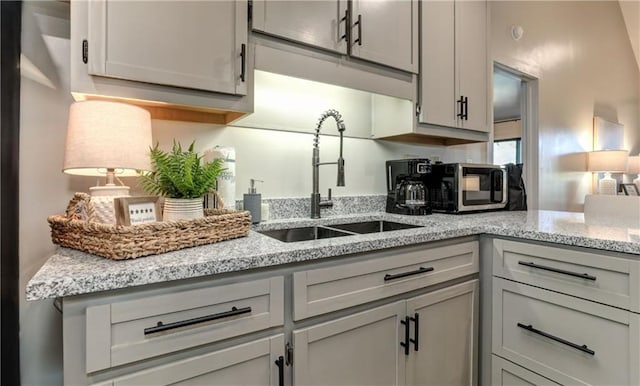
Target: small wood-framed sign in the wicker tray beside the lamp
{"points": [[137, 210]]}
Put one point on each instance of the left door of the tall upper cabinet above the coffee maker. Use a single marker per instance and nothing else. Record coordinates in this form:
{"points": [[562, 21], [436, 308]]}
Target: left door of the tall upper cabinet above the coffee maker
{"points": [[438, 97]]}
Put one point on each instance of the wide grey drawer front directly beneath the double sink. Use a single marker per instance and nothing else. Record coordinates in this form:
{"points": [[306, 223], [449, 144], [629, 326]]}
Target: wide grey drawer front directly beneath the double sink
{"points": [[324, 290]]}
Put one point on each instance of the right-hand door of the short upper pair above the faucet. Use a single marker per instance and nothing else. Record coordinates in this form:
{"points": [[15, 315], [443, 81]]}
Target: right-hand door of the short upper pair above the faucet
{"points": [[386, 32]]}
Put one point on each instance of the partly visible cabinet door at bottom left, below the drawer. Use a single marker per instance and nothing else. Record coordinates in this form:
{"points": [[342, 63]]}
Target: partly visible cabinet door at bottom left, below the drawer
{"points": [[252, 363]]}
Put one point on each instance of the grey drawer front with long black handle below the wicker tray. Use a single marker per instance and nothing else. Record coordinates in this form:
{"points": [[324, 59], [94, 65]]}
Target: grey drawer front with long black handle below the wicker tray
{"points": [[128, 331]]}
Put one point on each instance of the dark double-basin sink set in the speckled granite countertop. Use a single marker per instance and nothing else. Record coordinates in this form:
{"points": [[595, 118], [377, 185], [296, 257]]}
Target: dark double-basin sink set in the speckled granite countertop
{"points": [[337, 230]]}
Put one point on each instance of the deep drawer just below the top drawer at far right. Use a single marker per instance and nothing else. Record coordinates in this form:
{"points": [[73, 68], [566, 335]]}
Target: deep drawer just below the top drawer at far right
{"points": [[570, 340]]}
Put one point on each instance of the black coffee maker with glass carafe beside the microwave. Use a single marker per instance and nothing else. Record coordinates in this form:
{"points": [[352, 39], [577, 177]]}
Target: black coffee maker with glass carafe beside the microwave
{"points": [[407, 186]]}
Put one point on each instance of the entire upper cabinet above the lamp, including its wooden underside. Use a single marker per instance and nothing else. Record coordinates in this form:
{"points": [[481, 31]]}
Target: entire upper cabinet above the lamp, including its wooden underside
{"points": [[181, 60]]}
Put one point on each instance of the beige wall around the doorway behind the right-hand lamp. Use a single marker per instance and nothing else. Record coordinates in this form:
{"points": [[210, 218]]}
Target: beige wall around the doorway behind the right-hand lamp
{"points": [[581, 54]]}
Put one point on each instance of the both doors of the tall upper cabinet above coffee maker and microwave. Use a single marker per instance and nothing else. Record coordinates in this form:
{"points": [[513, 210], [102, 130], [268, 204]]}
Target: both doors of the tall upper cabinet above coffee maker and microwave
{"points": [[454, 65]]}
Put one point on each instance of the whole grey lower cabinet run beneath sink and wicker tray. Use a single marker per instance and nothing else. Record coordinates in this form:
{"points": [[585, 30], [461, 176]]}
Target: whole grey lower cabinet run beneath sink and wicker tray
{"points": [[401, 322]]}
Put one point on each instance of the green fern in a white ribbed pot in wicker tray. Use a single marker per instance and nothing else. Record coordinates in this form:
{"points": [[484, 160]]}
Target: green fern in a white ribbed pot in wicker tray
{"points": [[182, 178]]}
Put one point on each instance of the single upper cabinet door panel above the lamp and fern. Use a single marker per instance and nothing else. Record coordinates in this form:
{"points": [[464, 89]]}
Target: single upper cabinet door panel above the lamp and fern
{"points": [[191, 44]]}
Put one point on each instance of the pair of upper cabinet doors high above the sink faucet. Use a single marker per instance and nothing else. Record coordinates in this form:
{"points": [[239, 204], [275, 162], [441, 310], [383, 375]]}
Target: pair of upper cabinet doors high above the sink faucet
{"points": [[379, 31]]}
